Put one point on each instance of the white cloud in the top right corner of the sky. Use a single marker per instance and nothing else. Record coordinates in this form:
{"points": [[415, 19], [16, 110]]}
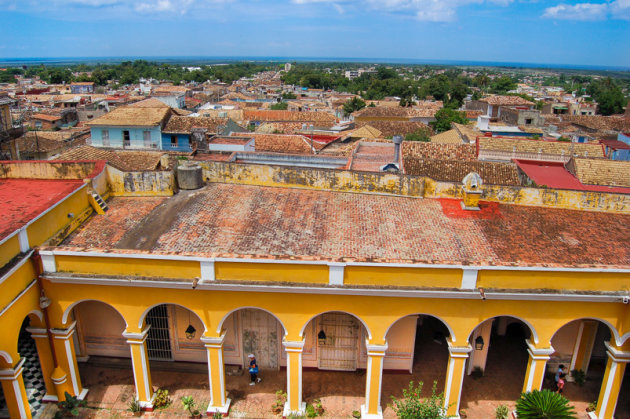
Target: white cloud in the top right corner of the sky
{"points": [[618, 9]]}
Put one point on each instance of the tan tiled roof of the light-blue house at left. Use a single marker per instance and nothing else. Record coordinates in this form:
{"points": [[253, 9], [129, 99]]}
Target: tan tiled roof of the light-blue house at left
{"points": [[133, 116]]}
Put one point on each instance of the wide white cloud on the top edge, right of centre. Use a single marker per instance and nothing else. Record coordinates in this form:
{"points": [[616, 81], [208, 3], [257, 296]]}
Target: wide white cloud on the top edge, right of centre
{"points": [[426, 10]]}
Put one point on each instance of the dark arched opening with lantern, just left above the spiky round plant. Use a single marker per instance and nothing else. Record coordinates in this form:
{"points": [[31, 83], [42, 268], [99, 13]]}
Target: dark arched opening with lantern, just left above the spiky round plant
{"points": [[496, 368]]}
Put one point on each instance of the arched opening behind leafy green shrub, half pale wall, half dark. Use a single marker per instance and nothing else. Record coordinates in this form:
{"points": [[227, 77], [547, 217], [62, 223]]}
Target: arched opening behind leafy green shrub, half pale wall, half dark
{"points": [[417, 345]]}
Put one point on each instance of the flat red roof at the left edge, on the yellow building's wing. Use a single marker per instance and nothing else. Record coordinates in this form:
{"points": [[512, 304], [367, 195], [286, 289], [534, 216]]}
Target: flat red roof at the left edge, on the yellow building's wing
{"points": [[22, 200]]}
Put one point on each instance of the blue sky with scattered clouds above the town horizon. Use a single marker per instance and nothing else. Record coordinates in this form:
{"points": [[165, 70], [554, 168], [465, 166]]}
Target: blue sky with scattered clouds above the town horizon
{"points": [[536, 31]]}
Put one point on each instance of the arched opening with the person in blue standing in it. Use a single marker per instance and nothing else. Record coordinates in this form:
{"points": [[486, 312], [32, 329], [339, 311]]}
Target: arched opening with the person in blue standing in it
{"points": [[251, 330]]}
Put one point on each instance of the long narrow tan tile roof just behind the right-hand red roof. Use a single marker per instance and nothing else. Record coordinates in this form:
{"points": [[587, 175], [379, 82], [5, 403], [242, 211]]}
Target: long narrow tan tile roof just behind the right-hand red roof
{"points": [[545, 147]]}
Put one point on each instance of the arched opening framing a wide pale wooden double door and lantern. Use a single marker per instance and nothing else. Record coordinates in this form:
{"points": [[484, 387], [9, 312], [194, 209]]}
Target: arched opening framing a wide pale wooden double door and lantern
{"points": [[334, 361]]}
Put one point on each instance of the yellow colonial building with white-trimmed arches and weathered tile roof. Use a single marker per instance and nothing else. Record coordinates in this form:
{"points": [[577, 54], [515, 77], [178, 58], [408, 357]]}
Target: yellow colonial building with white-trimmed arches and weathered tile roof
{"points": [[306, 274]]}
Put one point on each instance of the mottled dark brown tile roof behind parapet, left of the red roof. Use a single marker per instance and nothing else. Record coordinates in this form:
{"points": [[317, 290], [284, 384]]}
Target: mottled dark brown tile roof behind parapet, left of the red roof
{"points": [[455, 170]]}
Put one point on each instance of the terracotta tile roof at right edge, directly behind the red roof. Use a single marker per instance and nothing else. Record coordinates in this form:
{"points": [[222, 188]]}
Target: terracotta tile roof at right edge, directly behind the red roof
{"points": [[601, 171]]}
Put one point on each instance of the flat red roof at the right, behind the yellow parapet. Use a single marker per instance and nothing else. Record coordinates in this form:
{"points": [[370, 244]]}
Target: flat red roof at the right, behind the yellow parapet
{"points": [[555, 175]]}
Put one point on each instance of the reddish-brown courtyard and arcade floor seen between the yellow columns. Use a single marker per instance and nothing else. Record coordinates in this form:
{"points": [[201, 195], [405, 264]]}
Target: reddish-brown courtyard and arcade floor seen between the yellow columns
{"points": [[111, 386]]}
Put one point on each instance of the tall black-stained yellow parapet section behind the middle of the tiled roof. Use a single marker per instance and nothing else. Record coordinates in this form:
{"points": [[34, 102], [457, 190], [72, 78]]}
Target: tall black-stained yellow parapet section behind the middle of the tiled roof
{"points": [[309, 178]]}
